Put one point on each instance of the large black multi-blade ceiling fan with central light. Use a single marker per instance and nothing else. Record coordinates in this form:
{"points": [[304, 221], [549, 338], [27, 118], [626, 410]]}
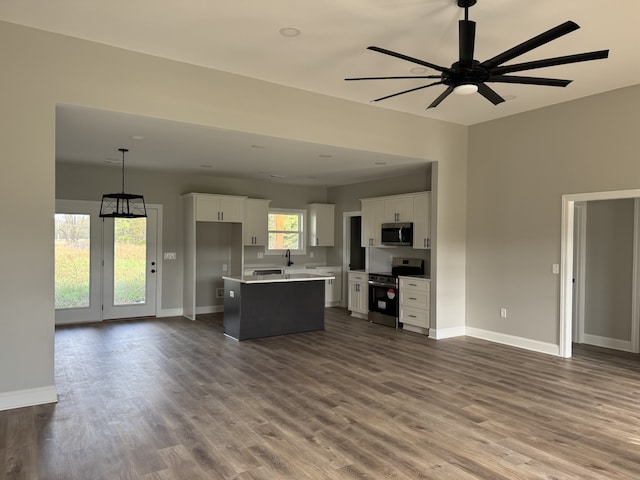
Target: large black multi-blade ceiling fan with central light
{"points": [[467, 76]]}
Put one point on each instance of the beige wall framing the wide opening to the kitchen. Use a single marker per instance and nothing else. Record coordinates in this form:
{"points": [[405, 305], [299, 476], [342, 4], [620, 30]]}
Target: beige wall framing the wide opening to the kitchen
{"points": [[41, 69]]}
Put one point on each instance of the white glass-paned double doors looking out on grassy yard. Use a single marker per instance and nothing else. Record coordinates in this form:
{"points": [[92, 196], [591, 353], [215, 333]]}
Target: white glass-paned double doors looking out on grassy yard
{"points": [[103, 269]]}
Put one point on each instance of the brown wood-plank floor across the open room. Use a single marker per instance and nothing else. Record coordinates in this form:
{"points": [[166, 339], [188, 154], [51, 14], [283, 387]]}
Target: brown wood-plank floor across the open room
{"points": [[175, 399]]}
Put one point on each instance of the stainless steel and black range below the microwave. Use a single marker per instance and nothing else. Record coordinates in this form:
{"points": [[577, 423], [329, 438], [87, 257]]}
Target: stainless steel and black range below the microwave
{"points": [[384, 293]]}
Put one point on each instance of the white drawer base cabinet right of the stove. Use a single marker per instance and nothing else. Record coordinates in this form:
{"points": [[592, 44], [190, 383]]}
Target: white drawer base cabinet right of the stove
{"points": [[415, 304]]}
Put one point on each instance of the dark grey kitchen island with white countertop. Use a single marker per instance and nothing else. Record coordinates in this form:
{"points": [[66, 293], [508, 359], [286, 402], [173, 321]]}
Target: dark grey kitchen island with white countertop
{"points": [[257, 306]]}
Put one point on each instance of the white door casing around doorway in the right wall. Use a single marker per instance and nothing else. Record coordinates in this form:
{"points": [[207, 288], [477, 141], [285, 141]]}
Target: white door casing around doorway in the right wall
{"points": [[567, 236]]}
